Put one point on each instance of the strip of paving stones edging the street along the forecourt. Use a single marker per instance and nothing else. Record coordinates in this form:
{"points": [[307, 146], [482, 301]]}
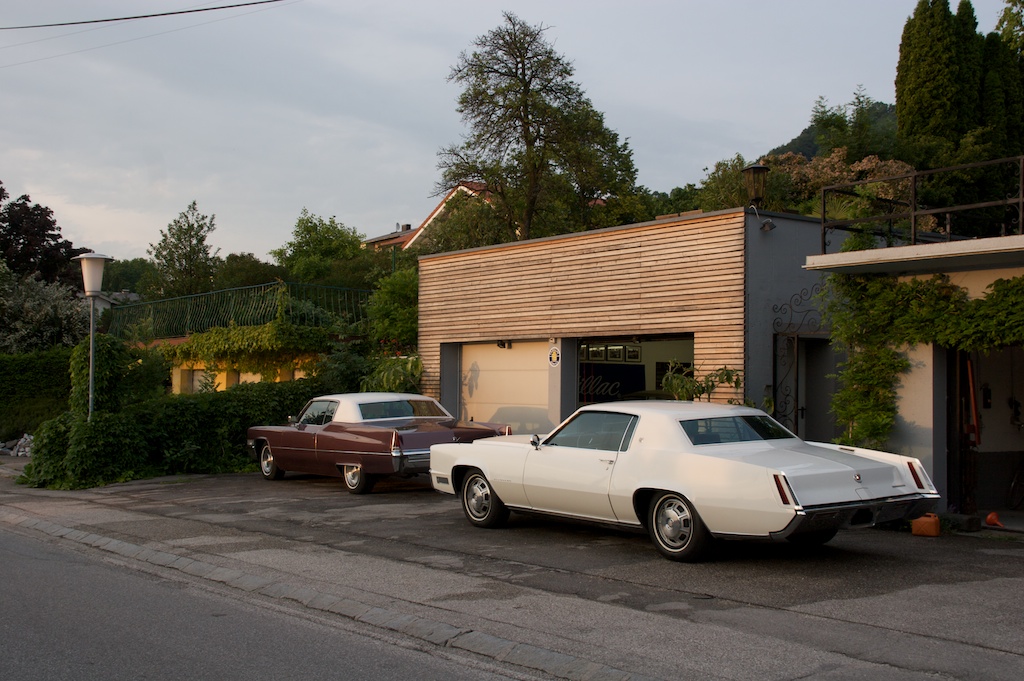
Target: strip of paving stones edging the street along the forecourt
{"points": [[437, 633]]}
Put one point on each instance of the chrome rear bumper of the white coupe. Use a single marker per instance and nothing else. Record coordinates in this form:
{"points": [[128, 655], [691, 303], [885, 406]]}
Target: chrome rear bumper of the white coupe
{"points": [[859, 515]]}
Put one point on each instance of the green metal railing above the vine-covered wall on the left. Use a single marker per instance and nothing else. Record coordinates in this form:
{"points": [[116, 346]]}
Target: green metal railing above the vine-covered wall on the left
{"points": [[303, 305]]}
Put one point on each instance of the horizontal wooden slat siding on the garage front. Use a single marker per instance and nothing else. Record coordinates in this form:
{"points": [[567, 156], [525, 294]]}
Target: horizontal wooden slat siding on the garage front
{"points": [[675, 277]]}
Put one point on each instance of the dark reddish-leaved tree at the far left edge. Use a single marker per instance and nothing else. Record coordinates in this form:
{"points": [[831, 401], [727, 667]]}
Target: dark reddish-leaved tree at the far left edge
{"points": [[31, 242]]}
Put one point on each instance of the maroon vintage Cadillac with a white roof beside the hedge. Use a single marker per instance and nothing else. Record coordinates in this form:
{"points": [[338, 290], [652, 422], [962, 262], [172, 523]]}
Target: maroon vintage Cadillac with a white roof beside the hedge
{"points": [[362, 438]]}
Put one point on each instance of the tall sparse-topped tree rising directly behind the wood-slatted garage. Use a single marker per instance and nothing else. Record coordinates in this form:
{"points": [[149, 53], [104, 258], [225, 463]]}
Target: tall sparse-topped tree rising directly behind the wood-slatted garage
{"points": [[549, 163]]}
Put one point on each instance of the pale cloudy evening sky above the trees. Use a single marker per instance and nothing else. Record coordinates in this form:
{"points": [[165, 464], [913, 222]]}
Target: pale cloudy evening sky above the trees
{"points": [[340, 108]]}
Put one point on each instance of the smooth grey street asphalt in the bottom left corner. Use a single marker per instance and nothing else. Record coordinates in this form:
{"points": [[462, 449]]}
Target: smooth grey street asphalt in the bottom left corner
{"points": [[68, 616]]}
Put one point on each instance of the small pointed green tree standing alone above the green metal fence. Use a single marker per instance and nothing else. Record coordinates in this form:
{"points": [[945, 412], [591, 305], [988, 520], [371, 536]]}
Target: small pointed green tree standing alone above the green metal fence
{"points": [[186, 264]]}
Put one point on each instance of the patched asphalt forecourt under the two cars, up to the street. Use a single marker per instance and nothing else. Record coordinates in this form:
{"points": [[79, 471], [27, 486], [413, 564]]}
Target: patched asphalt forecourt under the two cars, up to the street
{"points": [[562, 600]]}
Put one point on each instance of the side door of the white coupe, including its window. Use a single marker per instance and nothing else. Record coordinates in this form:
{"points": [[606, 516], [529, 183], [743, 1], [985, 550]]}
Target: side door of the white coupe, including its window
{"points": [[571, 473]]}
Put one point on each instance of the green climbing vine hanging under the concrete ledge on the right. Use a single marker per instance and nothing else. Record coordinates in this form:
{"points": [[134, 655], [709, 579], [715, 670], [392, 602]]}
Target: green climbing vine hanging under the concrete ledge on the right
{"points": [[874, 317]]}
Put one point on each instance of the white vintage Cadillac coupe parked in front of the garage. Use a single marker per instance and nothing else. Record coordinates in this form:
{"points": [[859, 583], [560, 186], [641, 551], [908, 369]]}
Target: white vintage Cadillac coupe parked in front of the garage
{"points": [[688, 473]]}
